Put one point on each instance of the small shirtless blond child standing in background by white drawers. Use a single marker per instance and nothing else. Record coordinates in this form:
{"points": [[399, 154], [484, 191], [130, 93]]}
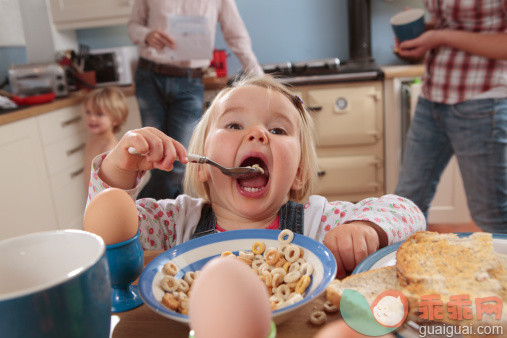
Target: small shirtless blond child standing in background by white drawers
{"points": [[105, 111]]}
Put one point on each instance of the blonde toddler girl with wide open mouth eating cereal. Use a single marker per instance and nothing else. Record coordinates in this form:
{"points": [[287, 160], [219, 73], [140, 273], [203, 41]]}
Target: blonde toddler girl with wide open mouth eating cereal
{"points": [[256, 121]]}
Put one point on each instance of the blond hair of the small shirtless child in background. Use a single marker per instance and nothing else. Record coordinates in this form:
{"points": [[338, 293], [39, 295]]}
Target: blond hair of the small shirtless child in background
{"points": [[111, 101]]}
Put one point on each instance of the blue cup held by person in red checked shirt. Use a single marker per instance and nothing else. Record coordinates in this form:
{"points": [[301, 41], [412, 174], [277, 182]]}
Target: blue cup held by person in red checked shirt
{"points": [[408, 25]]}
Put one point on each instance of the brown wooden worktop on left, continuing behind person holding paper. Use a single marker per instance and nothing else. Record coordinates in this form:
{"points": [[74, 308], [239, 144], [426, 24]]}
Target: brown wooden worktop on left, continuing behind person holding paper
{"points": [[77, 97]]}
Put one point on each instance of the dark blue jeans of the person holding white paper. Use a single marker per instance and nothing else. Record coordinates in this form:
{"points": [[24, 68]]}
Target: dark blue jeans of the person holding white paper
{"points": [[172, 105]]}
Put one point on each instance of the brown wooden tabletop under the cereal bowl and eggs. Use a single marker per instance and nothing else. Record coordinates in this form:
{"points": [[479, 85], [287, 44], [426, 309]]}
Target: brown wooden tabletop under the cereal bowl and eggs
{"points": [[143, 322]]}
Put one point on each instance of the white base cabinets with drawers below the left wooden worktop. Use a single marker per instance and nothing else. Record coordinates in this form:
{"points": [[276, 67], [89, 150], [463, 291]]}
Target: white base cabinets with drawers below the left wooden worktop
{"points": [[42, 171]]}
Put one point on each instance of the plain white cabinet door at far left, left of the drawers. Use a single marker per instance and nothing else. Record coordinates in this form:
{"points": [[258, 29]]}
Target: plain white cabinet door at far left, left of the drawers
{"points": [[26, 204]]}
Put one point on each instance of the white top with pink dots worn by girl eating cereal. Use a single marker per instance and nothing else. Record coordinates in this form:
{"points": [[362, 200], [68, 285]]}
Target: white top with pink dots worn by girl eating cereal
{"points": [[166, 223]]}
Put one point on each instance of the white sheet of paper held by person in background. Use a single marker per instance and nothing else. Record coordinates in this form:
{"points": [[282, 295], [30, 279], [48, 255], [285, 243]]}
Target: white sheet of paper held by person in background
{"points": [[192, 37]]}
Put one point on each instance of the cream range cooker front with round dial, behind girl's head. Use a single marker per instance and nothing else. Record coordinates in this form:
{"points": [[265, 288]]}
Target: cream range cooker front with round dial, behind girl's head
{"points": [[348, 120]]}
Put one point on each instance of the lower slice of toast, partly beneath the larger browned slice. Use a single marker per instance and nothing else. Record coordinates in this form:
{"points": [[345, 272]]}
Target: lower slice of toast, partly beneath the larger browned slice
{"points": [[369, 283]]}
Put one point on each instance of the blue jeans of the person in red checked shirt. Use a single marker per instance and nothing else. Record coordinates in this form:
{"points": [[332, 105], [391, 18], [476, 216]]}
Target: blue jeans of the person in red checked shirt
{"points": [[476, 131]]}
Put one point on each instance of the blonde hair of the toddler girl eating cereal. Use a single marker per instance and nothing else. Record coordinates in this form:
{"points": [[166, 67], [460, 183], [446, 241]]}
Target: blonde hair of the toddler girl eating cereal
{"points": [[308, 165]]}
